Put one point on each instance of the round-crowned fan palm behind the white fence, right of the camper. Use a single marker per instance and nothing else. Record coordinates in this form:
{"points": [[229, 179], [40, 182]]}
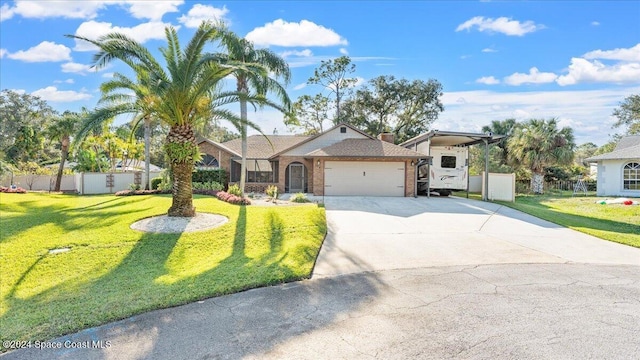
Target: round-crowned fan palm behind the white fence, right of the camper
{"points": [[538, 144]]}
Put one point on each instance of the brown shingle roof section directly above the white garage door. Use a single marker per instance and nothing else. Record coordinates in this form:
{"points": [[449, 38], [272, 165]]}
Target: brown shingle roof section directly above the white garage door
{"points": [[365, 148]]}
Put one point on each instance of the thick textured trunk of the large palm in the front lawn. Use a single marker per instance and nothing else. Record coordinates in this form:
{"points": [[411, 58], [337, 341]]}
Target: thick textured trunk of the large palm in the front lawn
{"points": [[182, 204]]}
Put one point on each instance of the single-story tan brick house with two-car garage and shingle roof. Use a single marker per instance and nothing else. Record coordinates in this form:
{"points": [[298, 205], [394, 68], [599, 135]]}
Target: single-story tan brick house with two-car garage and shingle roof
{"points": [[340, 161]]}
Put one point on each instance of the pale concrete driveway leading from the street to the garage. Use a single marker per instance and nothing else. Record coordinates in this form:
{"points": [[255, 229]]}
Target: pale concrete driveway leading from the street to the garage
{"points": [[373, 234]]}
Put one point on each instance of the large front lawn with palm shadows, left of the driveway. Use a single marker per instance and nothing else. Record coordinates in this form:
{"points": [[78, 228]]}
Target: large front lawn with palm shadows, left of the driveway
{"points": [[113, 272]]}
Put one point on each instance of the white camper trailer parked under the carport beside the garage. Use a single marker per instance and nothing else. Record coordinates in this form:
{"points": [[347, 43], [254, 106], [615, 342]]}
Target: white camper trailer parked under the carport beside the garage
{"points": [[448, 171]]}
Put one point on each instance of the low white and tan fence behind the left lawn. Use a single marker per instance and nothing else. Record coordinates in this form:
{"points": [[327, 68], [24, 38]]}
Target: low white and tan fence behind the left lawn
{"points": [[82, 183]]}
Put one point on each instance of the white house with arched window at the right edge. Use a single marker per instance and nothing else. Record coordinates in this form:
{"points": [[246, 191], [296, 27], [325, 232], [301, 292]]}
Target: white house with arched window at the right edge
{"points": [[619, 170]]}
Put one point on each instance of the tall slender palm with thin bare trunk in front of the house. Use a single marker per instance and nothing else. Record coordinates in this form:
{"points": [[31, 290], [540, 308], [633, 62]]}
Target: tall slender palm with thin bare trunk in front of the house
{"points": [[253, 77]]}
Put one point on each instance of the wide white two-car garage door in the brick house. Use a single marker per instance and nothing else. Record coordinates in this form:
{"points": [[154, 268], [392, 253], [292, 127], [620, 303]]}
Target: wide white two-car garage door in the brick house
{"points": [[364, 178]]}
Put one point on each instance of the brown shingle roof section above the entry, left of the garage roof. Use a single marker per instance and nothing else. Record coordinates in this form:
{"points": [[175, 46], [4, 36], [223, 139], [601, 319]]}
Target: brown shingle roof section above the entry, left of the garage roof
{"points": [[259, 148]]}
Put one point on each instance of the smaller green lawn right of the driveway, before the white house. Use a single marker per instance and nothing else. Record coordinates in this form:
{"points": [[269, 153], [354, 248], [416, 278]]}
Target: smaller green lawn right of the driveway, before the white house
{"points": [[613, 222]]}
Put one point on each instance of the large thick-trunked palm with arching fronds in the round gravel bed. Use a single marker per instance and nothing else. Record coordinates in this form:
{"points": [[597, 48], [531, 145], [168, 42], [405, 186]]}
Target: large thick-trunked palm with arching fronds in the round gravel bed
{"points": [[186, 91]]}
